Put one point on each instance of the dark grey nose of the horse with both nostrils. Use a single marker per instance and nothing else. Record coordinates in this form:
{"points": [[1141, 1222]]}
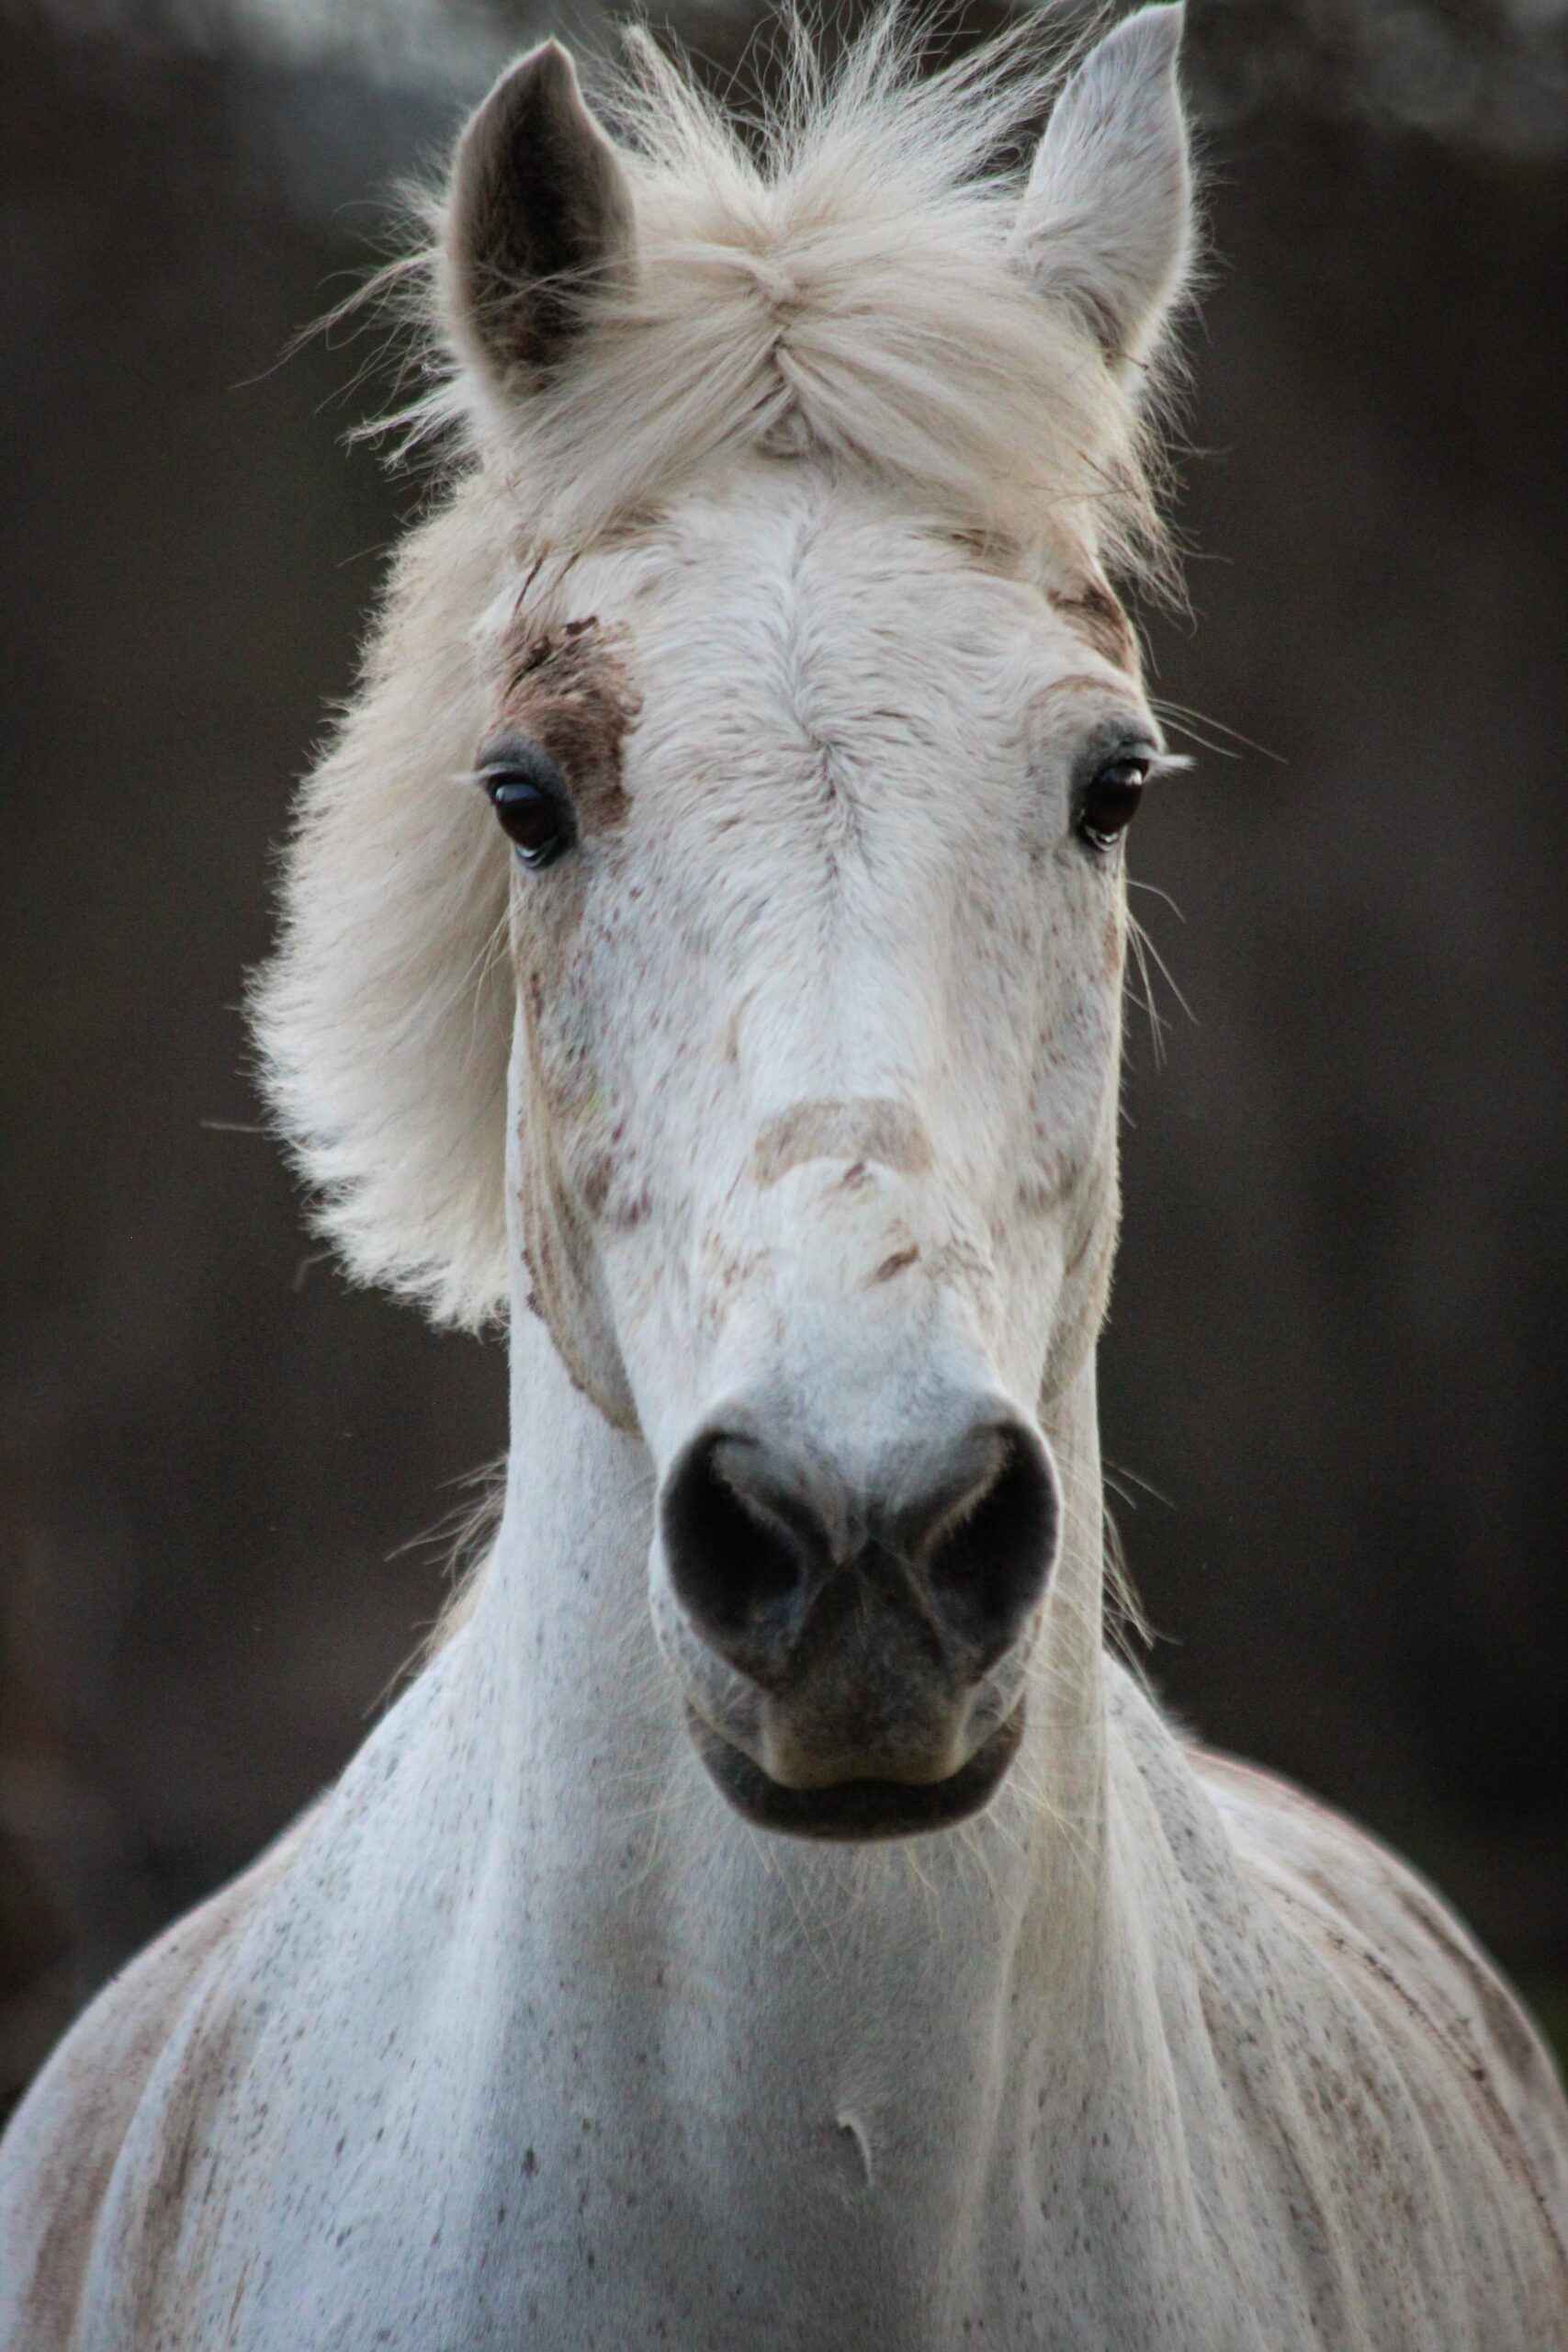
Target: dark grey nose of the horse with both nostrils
{"points": [[775, 1549]]}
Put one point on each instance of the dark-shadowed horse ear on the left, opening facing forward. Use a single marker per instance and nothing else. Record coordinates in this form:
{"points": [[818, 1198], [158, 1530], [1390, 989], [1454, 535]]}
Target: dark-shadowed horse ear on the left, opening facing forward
{"points": [[540, 222]]}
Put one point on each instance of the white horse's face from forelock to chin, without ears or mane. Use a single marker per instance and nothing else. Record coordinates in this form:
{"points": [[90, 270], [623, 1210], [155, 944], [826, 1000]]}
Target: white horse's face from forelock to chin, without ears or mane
{"points": [[819, 933]]}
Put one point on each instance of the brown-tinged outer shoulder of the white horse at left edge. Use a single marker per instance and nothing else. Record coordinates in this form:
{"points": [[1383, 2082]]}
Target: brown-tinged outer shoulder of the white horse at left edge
{"points": [[62, 2149]]}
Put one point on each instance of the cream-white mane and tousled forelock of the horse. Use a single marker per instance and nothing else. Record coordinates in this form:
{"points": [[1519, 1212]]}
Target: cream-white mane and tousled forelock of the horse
{"points": [[836, 279]]}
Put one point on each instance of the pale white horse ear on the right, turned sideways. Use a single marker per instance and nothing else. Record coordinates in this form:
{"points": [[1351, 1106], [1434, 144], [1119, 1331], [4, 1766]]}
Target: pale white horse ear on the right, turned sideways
{"points": [[1106, 220]]}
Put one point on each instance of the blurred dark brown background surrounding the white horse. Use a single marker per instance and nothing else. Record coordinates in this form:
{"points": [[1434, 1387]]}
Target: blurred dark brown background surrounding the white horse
{"points": [[1336, 1332]]}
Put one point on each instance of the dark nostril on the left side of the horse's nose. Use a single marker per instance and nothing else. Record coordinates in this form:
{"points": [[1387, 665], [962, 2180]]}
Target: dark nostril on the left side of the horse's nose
{"points": [[739, 1556]]}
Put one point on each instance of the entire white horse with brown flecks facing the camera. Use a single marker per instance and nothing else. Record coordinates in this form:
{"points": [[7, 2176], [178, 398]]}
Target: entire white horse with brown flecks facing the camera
{"points": [[709, 933]]}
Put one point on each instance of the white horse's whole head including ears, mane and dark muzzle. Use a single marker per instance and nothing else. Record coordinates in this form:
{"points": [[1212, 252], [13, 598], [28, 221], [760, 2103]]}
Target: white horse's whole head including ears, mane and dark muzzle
{"points": [[760, 733]]}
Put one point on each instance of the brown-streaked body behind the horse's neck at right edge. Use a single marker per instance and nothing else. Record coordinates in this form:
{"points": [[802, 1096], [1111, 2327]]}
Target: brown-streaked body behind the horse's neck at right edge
{"points": [[1414, 1967]]}
